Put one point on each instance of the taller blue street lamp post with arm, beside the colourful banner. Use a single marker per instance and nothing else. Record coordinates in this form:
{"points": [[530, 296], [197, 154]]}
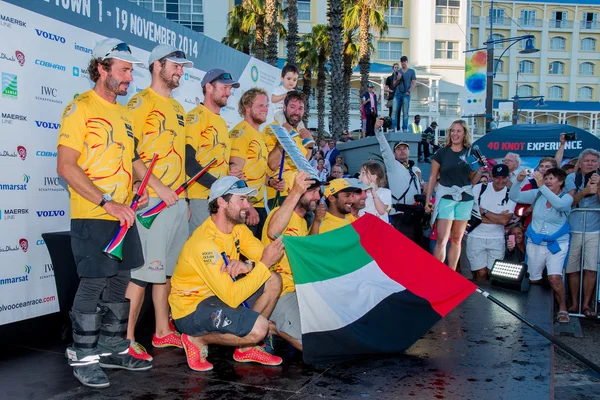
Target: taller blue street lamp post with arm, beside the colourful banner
{"points": [[491, 69]]}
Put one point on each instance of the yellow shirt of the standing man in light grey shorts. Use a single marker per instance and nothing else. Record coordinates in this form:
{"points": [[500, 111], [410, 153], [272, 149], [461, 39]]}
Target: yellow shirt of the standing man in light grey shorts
{"points": [[160, 129]]}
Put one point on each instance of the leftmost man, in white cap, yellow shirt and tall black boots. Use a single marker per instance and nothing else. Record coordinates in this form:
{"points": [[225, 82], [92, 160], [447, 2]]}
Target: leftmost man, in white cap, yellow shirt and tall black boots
{"points": [[96, 151]]}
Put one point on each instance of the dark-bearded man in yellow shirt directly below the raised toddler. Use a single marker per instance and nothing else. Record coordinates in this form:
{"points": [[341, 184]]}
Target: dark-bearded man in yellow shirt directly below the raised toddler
{"points": [[293, 110]]}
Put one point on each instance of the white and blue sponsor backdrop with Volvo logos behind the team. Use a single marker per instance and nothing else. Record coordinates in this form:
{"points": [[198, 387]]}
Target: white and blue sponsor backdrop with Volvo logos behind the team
{"points": [[43, 67]]}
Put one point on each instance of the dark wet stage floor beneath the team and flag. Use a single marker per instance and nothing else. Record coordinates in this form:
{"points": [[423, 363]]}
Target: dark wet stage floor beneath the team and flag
{"points": [[478, 351]]}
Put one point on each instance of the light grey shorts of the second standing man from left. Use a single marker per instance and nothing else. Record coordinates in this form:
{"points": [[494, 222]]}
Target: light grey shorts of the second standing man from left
{"points": [[162, 243]]}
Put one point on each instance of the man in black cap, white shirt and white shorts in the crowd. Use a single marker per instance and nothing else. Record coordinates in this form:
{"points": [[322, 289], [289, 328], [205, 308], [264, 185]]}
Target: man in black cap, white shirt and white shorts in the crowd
{"points": [[485, 244]]}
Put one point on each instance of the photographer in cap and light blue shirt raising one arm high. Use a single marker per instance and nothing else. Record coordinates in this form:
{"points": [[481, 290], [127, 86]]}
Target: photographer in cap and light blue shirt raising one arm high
{"points": [[404, 184]]}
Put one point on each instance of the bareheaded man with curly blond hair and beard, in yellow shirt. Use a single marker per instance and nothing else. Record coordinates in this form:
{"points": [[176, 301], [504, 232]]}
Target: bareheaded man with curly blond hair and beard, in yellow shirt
{"points": [[249, 154]]}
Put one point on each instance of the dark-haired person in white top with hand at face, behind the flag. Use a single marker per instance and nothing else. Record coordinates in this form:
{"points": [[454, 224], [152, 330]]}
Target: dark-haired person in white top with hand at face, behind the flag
{"points": [[379, 199]]}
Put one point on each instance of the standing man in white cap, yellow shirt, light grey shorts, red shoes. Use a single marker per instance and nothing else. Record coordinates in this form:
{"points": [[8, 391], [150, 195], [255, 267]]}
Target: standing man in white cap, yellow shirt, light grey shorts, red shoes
{"points": [[159, 129]]}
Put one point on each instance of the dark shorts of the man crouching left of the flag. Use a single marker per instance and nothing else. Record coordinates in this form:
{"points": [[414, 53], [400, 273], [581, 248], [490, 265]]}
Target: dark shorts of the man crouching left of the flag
{"points": [[212, 315]]}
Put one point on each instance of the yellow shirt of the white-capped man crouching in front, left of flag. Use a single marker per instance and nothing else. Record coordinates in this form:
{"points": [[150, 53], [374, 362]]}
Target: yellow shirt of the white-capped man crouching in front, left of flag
{"points": [[198, 274]]}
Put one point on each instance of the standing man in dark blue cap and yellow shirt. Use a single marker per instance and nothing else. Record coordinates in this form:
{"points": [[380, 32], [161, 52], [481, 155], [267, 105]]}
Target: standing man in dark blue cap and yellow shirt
{"points": [[207, 137]]}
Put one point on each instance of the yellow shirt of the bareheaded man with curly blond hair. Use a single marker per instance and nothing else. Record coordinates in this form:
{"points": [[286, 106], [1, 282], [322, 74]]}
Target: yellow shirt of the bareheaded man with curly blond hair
{"points": [[247, 143]]}
